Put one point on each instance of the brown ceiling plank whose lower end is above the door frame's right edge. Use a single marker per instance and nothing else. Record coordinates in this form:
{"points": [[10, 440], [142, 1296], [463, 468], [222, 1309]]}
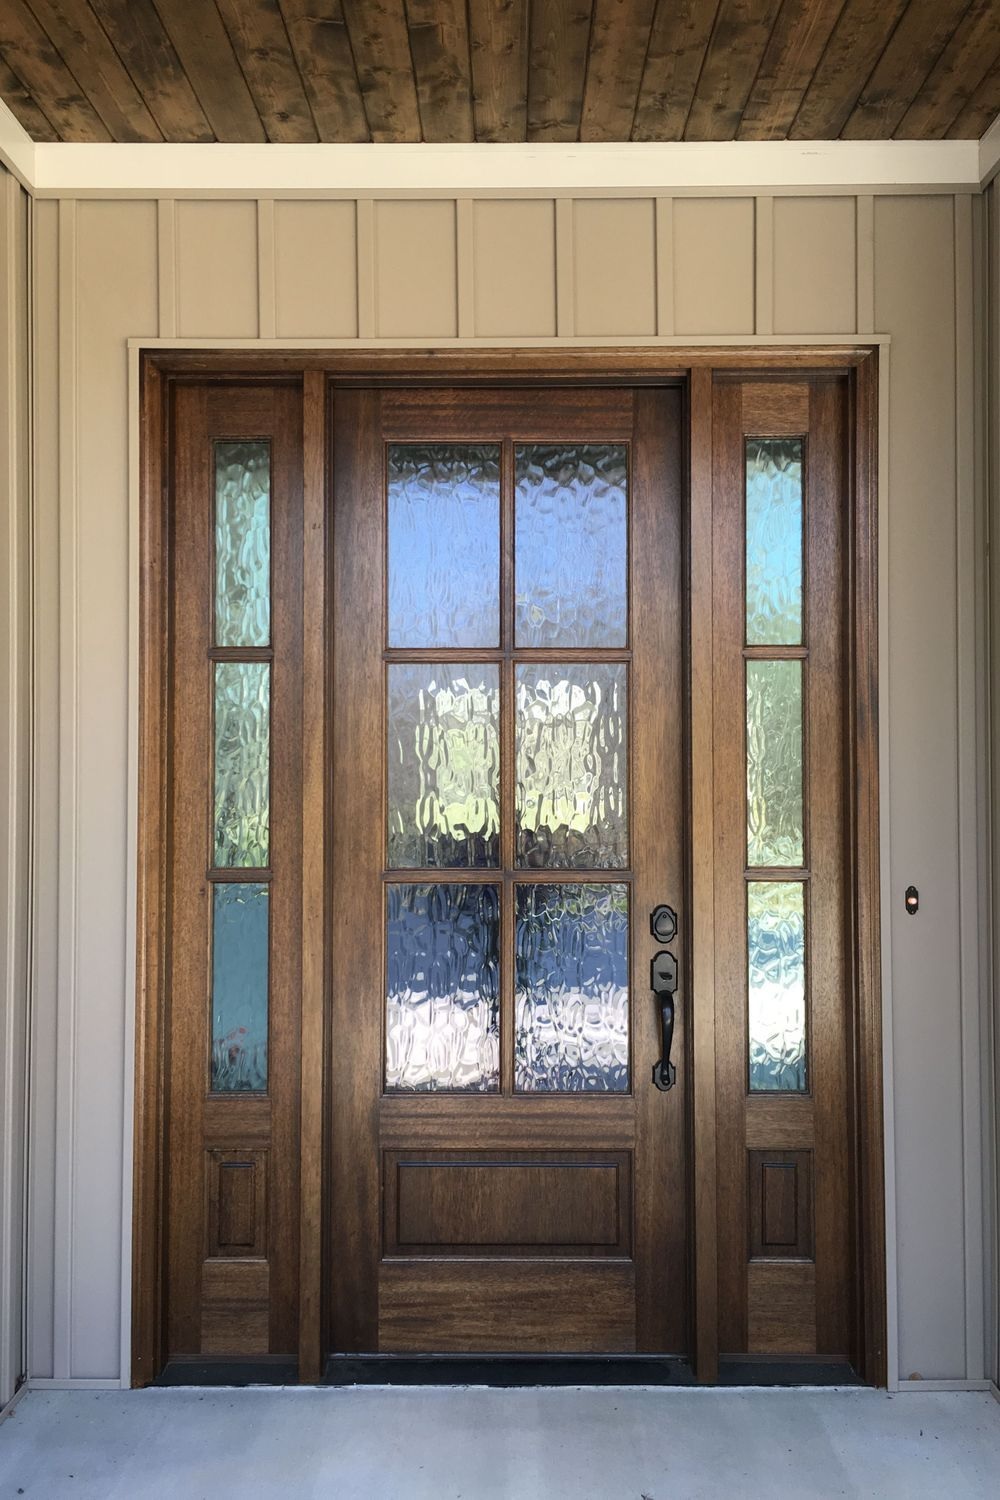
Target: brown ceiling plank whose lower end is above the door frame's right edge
{"points": [[915, 47]]}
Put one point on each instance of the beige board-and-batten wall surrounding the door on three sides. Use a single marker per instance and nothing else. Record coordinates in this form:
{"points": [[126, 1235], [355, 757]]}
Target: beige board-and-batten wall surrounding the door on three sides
{"points": [[491, 271]]}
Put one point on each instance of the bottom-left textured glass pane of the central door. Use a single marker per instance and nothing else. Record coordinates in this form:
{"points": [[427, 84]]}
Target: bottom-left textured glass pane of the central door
{"points": [[443, 997]]}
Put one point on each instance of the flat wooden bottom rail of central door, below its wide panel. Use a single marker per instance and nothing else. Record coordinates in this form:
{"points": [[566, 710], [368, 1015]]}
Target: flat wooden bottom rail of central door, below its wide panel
{"points": [[448, 1309]]}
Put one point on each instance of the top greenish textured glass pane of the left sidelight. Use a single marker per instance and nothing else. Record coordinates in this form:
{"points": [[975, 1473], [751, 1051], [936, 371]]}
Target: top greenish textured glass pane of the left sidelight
{"points": [[244, 544]]}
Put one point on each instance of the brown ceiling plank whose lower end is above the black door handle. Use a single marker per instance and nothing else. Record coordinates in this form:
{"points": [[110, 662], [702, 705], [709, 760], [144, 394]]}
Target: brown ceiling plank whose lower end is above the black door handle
{"points": [[674, 65]]}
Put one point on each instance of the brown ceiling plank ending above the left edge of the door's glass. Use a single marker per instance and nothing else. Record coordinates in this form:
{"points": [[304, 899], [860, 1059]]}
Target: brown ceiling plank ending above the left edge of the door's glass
{"points": [[386, 73]]}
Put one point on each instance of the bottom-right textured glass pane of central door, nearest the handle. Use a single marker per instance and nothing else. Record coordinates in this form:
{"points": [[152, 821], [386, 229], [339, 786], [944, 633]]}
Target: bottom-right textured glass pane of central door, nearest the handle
{"points": [[572, 989]]}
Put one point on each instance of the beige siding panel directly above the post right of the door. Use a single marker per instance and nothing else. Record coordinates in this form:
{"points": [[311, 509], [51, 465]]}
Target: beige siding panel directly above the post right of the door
{"points": [[714, 266]]}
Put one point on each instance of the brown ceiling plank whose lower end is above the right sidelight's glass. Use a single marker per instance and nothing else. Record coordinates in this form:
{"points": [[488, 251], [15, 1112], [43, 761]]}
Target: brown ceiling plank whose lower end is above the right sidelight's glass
{"points": [[791, 59]]}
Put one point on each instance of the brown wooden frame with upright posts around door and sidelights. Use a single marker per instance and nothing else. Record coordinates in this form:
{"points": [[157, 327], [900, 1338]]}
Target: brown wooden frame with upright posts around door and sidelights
{"points": [[319, 373]]}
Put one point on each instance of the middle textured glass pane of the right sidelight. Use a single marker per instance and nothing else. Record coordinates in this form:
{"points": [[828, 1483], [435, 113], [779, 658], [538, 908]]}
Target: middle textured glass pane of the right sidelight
{"points": [[774, 763]]}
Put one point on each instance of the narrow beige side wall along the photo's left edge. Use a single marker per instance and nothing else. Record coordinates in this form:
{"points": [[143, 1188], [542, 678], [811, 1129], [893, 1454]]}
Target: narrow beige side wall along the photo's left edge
{"points": [[14, 764]]}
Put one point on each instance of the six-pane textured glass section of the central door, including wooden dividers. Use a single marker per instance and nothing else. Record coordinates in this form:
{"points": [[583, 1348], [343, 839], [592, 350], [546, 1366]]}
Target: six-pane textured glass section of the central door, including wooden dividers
{"points": [[507, 704]]}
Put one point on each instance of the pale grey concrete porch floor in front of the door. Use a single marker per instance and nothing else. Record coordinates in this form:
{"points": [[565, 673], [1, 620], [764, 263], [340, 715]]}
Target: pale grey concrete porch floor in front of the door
{"points": [[466, 1444]]}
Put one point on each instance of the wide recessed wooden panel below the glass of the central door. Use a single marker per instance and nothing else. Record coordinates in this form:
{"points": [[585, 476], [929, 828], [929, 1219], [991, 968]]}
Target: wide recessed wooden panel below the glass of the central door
{"points": [[469, 1202]]}
